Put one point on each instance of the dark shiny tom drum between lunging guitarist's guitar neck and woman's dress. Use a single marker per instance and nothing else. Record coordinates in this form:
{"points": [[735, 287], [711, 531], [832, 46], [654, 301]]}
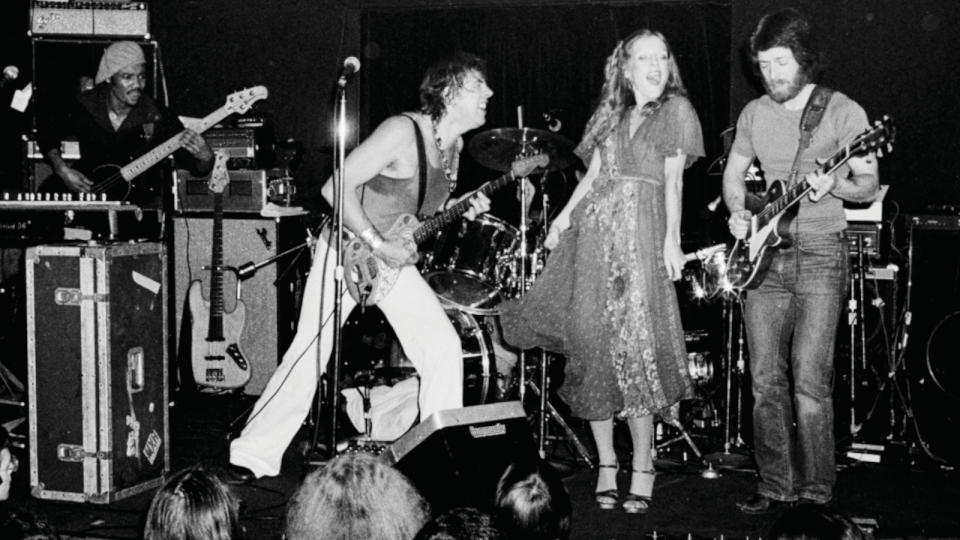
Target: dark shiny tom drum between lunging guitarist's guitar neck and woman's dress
{"points": [[465, 263]]}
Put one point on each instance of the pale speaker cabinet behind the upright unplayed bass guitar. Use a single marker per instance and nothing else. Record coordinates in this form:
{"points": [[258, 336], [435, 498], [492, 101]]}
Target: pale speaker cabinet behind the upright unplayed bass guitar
{"points": [[264, 333]]}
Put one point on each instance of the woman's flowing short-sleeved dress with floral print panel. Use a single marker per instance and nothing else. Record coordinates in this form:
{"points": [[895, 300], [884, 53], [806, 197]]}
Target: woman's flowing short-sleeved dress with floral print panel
{"points": [[604, 300]]}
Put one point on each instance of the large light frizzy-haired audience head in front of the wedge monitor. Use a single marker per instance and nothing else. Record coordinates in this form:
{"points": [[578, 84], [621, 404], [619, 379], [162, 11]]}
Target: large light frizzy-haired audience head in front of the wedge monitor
{"points": [[355, 496]]}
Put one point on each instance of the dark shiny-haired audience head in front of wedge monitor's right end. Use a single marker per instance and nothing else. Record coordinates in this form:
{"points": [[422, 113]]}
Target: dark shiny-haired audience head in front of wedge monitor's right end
{"points": [[532, 502]]}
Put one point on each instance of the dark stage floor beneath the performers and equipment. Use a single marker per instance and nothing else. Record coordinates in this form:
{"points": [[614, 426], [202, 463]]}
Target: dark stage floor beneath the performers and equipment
{"points": [[909, 498]]}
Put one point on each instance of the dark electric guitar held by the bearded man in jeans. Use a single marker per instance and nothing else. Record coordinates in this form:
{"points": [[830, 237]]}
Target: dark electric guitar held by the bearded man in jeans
{"points": [[749, 258]]}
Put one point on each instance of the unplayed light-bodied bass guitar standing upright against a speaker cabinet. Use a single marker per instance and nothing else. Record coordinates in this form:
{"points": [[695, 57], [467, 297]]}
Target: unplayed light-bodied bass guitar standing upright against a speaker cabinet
{"points": [[216, 357]]}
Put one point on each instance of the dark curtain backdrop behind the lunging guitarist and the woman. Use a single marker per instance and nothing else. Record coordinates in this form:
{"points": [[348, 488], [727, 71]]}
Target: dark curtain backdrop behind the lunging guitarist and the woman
{"points": [[549, 58]]}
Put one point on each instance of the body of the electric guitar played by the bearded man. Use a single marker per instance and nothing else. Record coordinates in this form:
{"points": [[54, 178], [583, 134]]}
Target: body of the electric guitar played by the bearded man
{"points": [[750, 258]]}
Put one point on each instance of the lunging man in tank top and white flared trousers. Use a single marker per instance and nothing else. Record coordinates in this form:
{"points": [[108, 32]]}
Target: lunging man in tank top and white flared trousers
{"points": [[382, 181]]}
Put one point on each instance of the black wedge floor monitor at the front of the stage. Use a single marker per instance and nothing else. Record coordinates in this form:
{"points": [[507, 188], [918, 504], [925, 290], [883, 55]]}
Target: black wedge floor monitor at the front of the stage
{"points": [[456, 457]]}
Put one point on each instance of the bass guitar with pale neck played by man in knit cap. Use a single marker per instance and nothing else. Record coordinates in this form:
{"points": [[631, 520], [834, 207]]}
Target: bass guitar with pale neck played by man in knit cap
{"points": [[117, 182]]}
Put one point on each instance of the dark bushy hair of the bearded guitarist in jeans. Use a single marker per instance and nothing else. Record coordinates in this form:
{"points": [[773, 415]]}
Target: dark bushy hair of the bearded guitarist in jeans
{"points": [[790, 29]]}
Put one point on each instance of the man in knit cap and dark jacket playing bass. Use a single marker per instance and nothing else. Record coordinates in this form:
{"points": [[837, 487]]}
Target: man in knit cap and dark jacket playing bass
{"points": [[118, 121]]}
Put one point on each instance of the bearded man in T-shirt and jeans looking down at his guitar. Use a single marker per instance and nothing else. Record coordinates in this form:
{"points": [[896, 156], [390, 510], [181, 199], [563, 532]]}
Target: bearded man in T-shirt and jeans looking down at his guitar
{"points": [[791, 317]]}
